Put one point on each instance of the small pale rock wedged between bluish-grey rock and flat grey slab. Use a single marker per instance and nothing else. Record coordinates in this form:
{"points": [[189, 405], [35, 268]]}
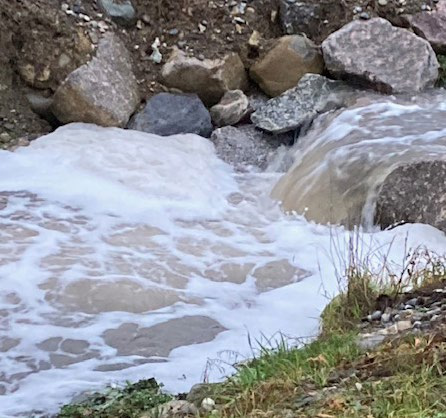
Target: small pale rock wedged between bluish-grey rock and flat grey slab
{"points": [[233, 107]]}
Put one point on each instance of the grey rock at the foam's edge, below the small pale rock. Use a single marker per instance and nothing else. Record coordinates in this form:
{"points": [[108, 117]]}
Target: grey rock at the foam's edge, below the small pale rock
{"points": [[247, 146]]}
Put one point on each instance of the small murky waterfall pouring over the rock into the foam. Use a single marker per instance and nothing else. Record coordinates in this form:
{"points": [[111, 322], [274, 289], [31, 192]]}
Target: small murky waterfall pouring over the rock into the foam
{"points": [[341, 162]]}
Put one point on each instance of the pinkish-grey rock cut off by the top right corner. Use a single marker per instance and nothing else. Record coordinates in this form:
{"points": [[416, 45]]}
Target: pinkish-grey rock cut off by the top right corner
{"points": [[431, 26]]}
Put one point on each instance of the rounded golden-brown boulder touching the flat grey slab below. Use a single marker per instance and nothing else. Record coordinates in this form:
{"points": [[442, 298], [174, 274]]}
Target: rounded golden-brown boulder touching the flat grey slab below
{"points": [[286, 63]]}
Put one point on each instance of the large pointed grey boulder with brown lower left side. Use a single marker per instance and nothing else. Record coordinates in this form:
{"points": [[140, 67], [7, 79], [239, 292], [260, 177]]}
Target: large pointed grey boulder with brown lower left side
{"points": [[104, 91]]}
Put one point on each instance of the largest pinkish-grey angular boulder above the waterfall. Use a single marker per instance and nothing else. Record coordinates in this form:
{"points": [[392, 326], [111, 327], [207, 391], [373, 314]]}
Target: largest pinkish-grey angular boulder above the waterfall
{"points": [[378, 55]]}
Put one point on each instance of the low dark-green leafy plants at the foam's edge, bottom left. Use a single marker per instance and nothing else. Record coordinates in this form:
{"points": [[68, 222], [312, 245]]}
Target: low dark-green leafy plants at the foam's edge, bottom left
{"points": [[128, 402]]}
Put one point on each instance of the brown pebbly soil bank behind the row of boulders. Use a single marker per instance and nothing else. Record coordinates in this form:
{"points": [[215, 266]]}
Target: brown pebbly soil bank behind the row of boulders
{"points": [[40, 43]]}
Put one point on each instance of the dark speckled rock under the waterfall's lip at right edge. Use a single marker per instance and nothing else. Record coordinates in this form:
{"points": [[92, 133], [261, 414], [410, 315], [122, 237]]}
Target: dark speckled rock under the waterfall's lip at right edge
{"points": [[414, 193]]}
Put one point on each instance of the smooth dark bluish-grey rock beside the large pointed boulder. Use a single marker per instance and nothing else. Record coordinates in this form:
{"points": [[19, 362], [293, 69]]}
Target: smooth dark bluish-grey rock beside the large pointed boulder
{"points": [[171, 114]]}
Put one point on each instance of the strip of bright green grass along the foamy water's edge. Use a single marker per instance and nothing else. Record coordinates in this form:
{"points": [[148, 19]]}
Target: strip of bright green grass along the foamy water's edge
{"points": [[281, 372]]}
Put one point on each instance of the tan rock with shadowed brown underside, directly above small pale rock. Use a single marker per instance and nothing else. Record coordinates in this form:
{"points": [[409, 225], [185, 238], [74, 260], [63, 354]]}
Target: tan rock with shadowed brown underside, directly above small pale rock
{"points": [[210, 79]]}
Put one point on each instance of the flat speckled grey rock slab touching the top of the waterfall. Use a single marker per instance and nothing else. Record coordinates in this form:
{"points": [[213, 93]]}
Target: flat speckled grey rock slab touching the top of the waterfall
{"points": [[297, 107]]}
